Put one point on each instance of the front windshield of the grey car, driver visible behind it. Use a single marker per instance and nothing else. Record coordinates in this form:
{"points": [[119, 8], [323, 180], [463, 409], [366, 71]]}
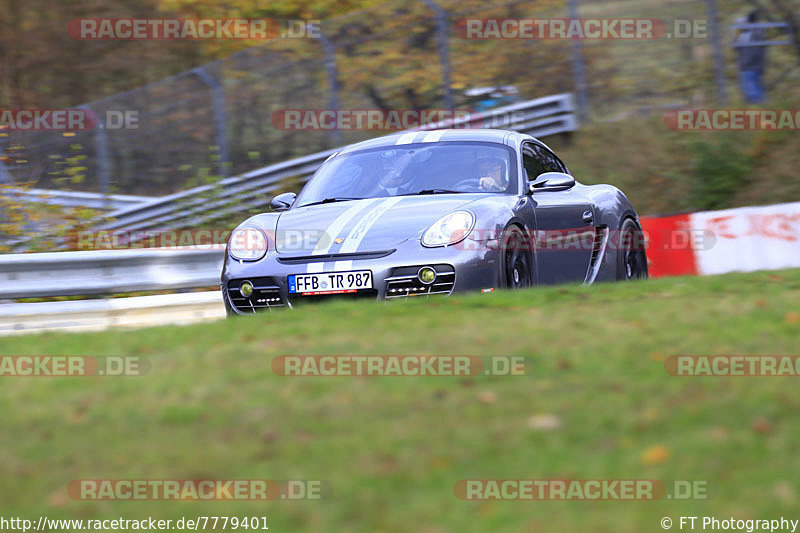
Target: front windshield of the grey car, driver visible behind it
{"points": [[436, 168]]}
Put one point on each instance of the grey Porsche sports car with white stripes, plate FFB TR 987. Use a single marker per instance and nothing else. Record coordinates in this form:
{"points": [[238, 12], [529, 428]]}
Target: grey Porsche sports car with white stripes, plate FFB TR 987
{"points": [[431, 213]]}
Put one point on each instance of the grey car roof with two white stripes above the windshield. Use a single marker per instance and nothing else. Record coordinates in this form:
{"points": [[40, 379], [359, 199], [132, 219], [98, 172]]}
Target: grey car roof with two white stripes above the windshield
{"points": [[510, 138]]}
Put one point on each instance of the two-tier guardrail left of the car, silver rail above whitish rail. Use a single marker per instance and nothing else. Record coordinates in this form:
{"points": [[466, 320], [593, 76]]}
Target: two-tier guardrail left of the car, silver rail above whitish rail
{"points": [[109, 272]]}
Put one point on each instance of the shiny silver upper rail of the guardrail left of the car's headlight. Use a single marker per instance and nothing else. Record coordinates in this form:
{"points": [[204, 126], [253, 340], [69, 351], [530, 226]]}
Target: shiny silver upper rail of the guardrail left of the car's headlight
{"points": [[103, 272]]}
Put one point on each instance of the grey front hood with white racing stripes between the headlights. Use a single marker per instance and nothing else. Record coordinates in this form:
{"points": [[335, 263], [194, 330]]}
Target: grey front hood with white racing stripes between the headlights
{"points": [[373, 224]]}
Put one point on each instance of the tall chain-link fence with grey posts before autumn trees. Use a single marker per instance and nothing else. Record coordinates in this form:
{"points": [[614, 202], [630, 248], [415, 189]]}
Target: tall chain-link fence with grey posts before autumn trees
{"points": [[215, 120]]}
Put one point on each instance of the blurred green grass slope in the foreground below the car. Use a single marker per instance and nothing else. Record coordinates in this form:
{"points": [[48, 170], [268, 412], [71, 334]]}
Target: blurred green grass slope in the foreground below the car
{"points": [[392, 448]]}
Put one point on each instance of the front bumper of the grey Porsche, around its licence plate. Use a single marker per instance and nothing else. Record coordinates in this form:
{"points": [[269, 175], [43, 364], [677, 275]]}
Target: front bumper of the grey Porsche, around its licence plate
{"points": [[459, 268]]}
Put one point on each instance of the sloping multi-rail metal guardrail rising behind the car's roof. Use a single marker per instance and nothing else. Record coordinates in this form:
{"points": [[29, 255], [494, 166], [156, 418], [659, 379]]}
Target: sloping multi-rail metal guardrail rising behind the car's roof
{"points": [[540, 117]]}
